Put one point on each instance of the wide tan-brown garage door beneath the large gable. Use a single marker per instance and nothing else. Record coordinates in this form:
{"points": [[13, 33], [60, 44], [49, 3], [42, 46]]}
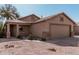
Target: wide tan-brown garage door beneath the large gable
{"points": [[59, 31]]}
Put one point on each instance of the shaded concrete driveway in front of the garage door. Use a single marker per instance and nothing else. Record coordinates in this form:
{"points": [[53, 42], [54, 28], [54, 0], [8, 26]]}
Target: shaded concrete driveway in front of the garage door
{"points": [[73, 41]]}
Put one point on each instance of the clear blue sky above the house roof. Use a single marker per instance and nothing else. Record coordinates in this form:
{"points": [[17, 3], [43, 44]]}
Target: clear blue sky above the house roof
{"points": [[72, 10]]}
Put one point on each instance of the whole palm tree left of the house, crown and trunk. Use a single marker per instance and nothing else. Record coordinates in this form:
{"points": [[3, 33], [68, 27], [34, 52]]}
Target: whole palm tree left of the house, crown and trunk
{"points": [[7, 12]]}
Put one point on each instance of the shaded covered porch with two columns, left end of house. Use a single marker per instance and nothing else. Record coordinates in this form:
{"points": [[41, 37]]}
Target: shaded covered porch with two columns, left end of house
{"points": [[15, 28]]}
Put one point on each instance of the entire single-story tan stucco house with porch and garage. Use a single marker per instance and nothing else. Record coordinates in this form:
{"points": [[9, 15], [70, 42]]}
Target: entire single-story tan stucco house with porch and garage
{"points": [[56, 26]]}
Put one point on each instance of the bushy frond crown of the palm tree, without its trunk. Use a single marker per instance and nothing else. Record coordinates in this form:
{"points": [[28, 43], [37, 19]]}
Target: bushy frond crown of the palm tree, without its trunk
{"points": [[9, 12]]}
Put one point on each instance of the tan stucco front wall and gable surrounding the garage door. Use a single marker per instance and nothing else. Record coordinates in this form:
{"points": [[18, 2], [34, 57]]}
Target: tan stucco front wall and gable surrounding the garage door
{"points": [[40, 27]]}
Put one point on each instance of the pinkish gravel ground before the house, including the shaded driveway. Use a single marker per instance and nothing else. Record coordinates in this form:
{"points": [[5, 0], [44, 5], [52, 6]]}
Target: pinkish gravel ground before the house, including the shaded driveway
{"points": [[34, 47]]}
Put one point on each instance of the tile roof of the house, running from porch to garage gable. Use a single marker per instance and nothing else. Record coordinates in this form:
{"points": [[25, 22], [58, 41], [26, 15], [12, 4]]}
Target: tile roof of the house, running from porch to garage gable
{"points": [[40, 19]]}
